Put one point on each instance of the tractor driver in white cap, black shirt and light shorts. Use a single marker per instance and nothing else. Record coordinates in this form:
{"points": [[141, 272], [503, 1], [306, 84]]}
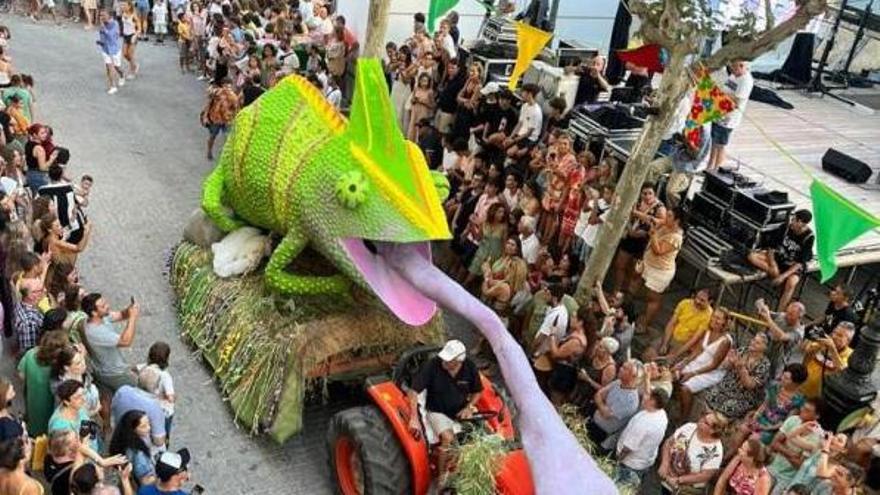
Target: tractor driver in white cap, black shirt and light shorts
{"points": [[452, 386]]}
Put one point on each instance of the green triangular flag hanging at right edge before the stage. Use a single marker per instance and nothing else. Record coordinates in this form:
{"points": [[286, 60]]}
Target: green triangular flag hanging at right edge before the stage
{"points": [[838, 221]]}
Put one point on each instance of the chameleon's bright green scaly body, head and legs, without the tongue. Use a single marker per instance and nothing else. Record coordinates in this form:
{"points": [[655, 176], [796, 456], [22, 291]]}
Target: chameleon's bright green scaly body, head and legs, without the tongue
{"points": [[294, 166]]}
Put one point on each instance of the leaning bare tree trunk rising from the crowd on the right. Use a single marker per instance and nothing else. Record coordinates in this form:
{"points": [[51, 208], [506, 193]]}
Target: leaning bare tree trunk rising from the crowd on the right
{"points": [[674, 85]]}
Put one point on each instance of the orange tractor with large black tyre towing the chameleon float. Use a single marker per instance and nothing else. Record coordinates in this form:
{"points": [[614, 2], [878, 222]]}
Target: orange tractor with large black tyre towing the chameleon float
{"points": [[374, 452]]}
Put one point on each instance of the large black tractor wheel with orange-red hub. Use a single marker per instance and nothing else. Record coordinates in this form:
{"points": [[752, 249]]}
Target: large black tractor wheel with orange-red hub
{"points": [[365, 455]]}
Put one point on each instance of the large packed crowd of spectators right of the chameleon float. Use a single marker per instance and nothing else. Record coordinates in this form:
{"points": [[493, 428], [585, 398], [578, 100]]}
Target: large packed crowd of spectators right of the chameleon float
{"points": [[708, 405]]}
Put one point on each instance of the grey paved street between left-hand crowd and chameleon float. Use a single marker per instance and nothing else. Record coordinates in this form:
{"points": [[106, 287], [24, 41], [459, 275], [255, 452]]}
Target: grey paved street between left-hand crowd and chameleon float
{"points": [[145, 148]]}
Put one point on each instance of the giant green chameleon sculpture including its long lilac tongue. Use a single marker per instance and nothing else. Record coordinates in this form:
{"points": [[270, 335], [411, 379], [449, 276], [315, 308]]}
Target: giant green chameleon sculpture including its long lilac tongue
{"points": [[362, 196]]}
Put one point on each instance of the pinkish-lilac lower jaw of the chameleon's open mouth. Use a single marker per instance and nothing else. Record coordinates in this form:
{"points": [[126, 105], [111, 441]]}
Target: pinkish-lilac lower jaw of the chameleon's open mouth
{"points": [[404, 300]]}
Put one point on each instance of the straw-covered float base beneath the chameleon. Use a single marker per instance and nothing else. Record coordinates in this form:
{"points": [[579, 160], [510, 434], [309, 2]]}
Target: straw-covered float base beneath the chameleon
{"points": [[269, 353]]}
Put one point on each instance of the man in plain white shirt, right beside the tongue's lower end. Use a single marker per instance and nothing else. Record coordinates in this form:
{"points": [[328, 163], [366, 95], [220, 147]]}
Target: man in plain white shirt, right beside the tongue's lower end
{"points": [[641, 438]]}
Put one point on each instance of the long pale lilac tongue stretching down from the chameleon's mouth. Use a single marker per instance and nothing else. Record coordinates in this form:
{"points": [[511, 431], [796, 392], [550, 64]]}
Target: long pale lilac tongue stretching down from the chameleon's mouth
{"points": [[559, 465]]}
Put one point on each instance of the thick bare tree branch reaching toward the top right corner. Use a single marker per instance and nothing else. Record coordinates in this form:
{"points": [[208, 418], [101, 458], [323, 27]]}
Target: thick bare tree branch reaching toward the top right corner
{"points": [[748, 50]]}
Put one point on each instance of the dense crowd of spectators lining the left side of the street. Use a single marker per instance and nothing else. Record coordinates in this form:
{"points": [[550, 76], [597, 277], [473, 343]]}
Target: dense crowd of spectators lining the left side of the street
{"points": [[90, 421]]}
